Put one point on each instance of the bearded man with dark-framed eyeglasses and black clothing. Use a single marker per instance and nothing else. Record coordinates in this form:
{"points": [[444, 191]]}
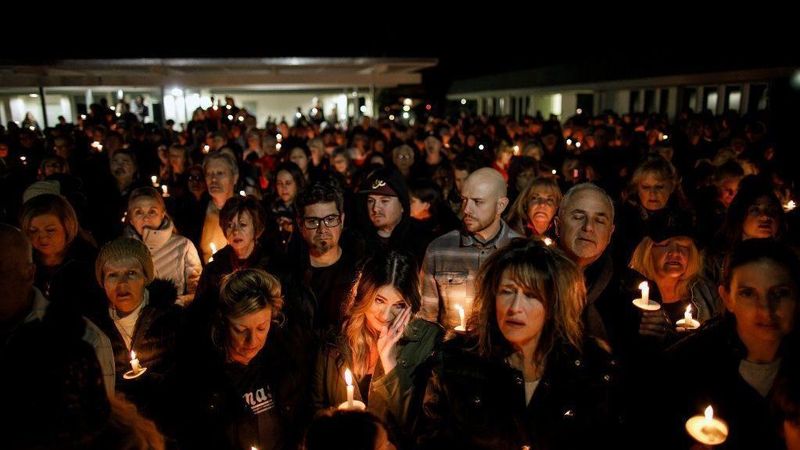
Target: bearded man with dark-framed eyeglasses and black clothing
{"points": [[321, 277]]}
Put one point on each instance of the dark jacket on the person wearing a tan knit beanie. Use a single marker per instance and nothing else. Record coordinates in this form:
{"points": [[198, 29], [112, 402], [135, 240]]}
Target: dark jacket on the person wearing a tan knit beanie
{"points": [[155, 343]]}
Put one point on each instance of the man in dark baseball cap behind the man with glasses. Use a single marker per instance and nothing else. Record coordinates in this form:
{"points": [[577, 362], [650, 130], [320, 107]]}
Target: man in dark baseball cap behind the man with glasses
{"points": [[389, 212]]}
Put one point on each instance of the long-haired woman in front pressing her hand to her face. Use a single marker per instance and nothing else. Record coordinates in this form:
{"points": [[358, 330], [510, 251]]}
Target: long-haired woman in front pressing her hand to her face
{"points": [[380, 345]]}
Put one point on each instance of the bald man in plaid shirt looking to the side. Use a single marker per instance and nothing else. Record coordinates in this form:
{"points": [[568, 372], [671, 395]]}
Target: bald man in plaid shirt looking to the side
{"points": [[452, 260]]}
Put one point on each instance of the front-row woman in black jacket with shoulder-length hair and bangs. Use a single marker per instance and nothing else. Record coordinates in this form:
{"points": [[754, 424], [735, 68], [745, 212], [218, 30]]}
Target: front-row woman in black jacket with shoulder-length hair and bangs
{"points": [[526, 375]]}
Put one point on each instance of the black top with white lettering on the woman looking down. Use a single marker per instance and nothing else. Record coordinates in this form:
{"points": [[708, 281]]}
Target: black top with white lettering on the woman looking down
{"points": [[263, 404]]}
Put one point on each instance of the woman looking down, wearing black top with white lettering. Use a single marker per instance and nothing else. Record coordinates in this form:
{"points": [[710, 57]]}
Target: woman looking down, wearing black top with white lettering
{"points": [[251, 388]]}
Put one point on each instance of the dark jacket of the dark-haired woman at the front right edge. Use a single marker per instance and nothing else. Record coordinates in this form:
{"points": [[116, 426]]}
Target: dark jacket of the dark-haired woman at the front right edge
{"points": [[703, 370]]}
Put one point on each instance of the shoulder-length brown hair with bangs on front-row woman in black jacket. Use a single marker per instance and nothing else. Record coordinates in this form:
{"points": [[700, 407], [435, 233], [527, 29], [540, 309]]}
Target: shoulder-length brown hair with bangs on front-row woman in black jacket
{"points": [[551, 276]]}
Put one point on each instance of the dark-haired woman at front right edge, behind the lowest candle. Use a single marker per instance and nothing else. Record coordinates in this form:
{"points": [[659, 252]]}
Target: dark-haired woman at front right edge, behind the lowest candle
{"points": [[732, 363]]}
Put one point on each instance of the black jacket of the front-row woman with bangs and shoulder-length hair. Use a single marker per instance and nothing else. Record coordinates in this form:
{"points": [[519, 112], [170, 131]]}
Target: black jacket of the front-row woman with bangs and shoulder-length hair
{"points": [[473, 402]]}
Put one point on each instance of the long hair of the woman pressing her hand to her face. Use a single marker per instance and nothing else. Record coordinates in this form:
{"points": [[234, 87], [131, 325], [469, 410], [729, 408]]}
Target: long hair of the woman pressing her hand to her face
{"points": [[393, 269]]}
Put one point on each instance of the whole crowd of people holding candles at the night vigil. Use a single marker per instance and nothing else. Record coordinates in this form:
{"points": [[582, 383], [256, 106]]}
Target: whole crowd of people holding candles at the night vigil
{"points": [[462, 282]]}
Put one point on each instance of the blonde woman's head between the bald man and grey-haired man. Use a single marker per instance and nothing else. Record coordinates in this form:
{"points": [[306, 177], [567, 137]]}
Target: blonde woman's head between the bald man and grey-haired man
{"points": [[533, 211]]}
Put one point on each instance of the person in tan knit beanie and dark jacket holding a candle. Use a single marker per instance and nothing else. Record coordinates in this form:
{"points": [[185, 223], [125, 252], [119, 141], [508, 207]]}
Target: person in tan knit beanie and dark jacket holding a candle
{"points": [[141, 316]]}
